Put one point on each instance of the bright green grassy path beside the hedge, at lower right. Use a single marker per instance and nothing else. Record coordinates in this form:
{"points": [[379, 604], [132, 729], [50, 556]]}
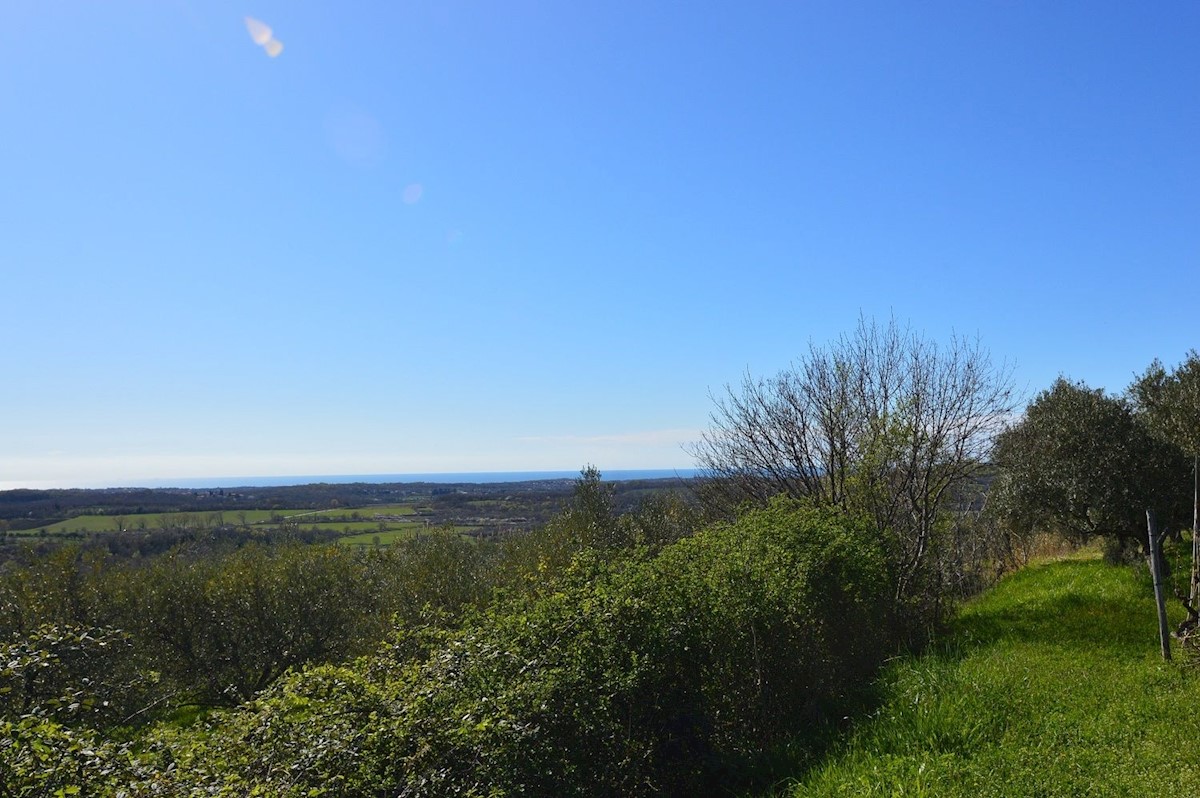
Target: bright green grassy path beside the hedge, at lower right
{"points": [[1052, 686]]}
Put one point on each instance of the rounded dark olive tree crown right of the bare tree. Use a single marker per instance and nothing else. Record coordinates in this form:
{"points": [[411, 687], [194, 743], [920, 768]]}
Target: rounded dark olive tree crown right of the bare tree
{"points": [[1082, 464]]}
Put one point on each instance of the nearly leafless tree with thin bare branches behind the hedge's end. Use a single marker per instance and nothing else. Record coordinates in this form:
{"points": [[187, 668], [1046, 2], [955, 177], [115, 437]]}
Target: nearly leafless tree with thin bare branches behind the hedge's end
{"points": [[883, 423]]}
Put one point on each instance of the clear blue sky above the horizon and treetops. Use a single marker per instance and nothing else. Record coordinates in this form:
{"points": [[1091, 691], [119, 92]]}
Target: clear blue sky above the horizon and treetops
{"points": [[441, 237]]}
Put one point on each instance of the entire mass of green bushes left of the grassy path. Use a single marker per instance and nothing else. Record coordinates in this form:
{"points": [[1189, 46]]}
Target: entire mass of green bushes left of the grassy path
{"points": [[603, 656]]}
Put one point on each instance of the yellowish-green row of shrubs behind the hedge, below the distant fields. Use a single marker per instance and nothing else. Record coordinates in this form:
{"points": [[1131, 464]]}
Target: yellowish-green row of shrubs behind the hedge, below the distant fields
{"points": [[219, 625]]}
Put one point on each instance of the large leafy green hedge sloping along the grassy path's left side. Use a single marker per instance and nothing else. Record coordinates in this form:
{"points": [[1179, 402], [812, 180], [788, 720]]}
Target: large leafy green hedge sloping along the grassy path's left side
{"points": [[633, 676]]}
